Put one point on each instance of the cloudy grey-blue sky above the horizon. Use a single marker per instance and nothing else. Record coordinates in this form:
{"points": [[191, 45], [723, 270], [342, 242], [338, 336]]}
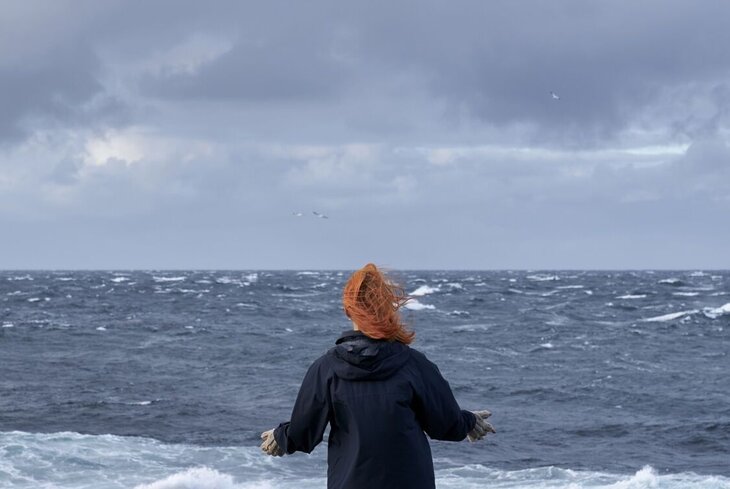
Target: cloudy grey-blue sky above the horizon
{"points": [[184, 134]]}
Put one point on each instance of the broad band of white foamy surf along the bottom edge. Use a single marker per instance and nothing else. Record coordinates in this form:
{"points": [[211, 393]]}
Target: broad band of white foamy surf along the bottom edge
{"points": [[71, 461]]}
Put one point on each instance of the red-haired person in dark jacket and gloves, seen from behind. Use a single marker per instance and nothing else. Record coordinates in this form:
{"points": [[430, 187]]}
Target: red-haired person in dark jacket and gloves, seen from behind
{"points": [[380, 397]]}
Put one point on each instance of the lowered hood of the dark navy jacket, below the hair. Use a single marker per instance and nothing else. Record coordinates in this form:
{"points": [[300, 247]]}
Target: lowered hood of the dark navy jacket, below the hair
{"points": [[359, 357]]}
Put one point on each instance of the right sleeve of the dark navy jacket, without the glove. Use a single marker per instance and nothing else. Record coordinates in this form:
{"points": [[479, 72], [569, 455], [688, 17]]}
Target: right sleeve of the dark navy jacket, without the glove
{"points": [[435, 406]]}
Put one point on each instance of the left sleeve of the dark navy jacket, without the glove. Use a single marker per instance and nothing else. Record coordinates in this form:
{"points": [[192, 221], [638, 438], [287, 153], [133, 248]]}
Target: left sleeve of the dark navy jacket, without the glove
{"points": [[310, 415]]}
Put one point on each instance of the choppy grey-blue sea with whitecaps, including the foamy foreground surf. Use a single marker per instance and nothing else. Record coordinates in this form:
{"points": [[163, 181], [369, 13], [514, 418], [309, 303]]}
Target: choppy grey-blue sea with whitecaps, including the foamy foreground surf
{"points": [[165, 379]]}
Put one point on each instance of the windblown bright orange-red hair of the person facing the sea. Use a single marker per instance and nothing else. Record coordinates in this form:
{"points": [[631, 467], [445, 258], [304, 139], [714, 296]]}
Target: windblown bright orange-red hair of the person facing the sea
{"points": [[372, 301]]}
